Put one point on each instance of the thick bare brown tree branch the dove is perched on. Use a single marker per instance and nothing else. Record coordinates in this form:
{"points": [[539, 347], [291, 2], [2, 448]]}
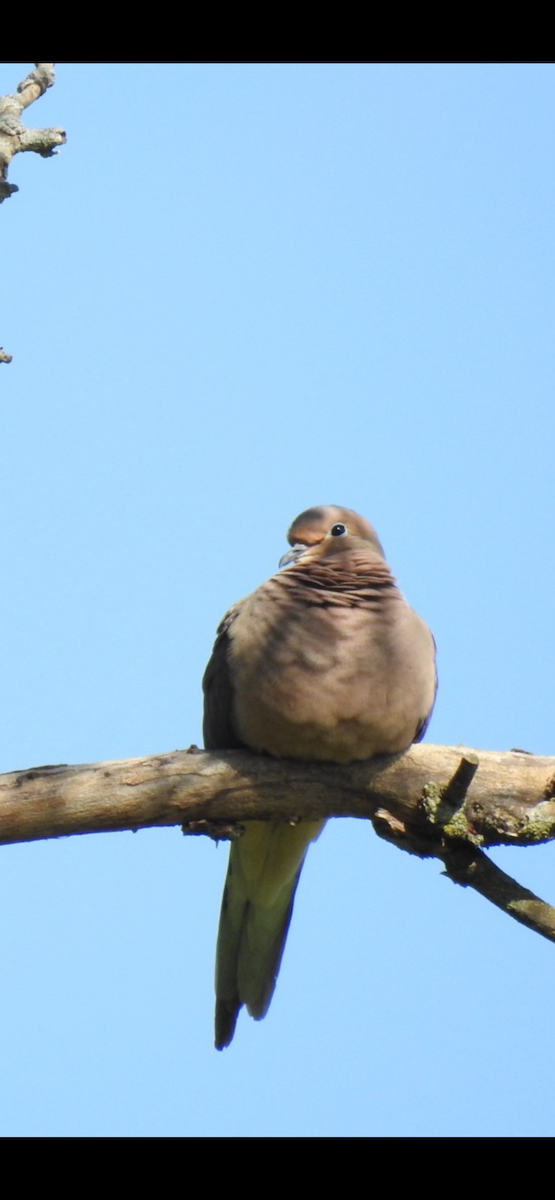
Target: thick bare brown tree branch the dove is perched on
{"points": [[433, 801]]}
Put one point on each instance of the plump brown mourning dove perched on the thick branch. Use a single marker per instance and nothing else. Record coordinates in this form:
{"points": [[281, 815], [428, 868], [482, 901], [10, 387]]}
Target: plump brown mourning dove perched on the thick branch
{"points": [[326, 662]]}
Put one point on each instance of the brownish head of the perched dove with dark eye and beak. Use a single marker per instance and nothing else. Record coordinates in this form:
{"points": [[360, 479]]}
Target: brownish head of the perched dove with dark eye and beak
{"points": [[333, 531]]}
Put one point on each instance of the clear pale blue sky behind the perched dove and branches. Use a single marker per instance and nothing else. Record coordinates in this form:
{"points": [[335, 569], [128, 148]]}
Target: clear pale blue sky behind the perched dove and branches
{"points": [[242, 290]]}
